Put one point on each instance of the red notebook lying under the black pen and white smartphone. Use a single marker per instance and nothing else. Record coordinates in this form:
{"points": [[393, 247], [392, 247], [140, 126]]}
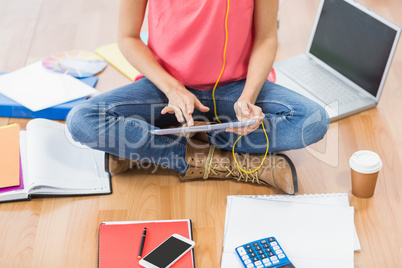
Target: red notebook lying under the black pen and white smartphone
{"points": [[119, 242]]}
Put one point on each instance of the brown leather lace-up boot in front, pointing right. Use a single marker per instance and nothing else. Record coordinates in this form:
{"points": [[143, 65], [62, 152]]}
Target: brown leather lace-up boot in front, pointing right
{"points": [[206, 162]]}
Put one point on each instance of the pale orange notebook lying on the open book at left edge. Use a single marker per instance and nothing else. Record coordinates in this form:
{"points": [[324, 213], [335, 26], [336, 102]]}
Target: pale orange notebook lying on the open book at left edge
{"points": [[9, 155]]}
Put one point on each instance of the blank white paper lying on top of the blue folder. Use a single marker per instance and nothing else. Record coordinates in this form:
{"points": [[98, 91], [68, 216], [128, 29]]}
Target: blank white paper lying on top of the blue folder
{"points": [[37, 88]]}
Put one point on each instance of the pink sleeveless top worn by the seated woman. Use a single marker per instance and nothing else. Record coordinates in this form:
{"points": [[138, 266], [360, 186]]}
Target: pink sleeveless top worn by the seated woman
{"points": [[187, 38]]}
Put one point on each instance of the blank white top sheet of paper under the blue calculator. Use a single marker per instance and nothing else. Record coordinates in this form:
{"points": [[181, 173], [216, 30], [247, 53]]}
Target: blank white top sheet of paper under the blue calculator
{"points": [[312, 235]]}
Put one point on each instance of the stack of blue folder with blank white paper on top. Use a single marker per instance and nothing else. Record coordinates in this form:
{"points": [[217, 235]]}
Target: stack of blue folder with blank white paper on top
{"points": [[35, 92]]}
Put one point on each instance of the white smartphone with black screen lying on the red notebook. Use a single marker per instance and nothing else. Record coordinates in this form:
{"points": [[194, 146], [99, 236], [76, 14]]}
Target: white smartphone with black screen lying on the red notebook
{"points": [[167, 253]]}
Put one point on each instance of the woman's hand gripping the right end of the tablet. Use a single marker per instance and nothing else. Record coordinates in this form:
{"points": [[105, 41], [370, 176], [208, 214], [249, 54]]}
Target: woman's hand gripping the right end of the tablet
{"points": [[245, 110]]}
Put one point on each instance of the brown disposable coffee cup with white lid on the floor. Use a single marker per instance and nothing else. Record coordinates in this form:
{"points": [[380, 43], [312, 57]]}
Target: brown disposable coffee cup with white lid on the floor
{"points": [[365, 166]]}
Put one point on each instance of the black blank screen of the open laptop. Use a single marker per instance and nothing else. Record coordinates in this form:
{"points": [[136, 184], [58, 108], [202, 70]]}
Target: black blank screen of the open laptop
{"points": [[353, 43]]}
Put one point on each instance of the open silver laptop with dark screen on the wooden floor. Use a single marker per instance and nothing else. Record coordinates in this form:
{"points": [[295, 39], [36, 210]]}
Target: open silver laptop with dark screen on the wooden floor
{"points": [[347, 60]]}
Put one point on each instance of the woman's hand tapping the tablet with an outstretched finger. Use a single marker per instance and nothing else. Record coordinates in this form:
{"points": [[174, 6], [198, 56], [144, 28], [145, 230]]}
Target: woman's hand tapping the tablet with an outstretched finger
{"points": [[182, 103]]}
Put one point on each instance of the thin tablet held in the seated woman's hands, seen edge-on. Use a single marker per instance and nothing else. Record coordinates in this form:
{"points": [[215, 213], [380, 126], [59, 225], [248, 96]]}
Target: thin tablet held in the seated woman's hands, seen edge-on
{"points": [[209, 127]]}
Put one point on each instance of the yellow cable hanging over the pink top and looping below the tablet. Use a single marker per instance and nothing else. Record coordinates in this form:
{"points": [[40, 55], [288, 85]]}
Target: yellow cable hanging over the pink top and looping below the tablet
{"points": [[213, 97]]}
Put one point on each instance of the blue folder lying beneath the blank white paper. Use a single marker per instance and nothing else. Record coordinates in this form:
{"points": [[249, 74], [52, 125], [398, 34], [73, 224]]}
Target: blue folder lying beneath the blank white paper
{"points": [[10, 108]]}
